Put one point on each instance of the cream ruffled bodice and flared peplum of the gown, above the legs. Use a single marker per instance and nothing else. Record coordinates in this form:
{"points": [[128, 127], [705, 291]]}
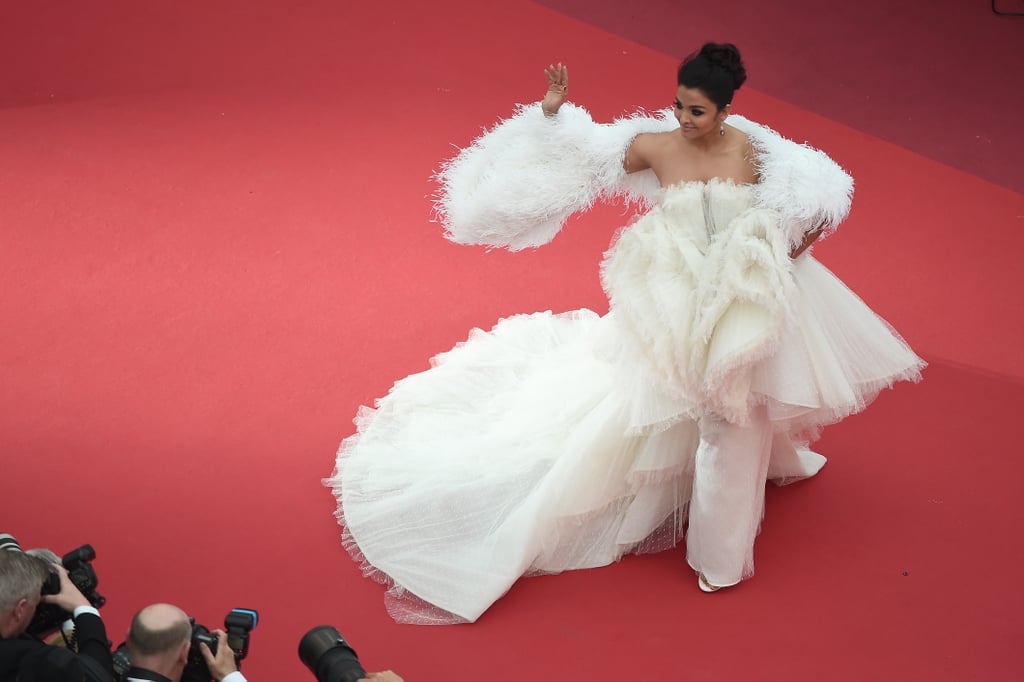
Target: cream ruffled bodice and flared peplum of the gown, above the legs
{"points": [[718, 320]]}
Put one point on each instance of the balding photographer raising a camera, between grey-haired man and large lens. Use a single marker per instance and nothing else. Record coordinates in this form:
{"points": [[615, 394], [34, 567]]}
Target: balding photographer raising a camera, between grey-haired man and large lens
{"points": [[159, 642]]}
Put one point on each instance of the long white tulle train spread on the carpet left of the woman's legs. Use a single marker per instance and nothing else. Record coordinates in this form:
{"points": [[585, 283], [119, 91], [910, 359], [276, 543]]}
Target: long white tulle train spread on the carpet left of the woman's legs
{"points": [[508, 457]]}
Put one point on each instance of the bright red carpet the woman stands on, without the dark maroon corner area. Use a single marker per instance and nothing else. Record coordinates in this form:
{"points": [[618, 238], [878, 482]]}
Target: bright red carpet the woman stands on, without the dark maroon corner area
{"points": [[217, 246]]}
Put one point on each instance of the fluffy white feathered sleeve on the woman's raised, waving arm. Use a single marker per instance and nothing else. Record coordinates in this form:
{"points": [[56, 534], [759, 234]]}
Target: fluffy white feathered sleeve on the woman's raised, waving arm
{"points": [[516, 186]]}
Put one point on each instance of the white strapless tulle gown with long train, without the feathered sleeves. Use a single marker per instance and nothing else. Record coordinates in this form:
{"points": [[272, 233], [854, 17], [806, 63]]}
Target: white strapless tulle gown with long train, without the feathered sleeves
{"points": [[561, 442]]}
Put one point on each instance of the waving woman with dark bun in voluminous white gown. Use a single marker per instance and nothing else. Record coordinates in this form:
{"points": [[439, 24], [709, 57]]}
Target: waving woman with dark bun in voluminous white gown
{"points": [[565, 442]]}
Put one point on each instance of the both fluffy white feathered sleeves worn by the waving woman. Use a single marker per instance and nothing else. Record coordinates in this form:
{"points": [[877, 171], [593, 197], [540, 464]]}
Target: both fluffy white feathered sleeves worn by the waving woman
{"points": [[516, 186]]}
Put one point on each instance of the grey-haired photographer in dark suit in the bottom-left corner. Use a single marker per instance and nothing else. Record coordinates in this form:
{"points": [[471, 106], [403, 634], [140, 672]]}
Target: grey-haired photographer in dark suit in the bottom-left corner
{"points": [[26, 657]]}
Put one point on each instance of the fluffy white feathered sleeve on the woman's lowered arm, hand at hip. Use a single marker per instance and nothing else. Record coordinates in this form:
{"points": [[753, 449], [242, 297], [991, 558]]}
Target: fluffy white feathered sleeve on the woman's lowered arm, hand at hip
{"points": [[802, 184]]}
